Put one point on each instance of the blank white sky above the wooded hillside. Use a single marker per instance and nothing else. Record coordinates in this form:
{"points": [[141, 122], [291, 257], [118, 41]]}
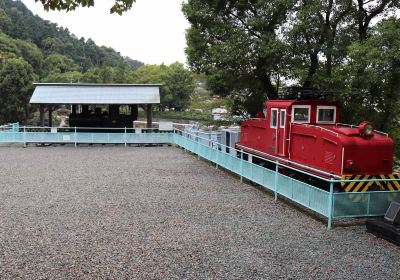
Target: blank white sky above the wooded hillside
{"points": [[153, 31]]}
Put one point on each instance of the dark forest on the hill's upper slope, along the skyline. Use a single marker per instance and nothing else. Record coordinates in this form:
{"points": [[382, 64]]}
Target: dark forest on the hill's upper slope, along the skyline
{"points": [[20, 23]]}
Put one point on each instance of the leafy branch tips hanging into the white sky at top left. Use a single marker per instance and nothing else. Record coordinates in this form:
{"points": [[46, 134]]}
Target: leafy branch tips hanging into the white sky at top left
{"points": [[119, 6]]}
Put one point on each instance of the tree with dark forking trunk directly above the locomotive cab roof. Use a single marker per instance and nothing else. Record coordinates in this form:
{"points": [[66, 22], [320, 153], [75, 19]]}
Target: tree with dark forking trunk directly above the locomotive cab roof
{"points": [[317, 39]]}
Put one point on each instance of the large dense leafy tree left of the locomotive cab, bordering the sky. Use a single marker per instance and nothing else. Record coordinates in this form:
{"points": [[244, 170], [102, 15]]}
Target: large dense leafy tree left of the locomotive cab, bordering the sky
{"points": [[236, 44]]}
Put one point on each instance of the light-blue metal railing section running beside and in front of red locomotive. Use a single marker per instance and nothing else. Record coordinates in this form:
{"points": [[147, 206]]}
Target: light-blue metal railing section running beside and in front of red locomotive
{"points": [[328, 203]]}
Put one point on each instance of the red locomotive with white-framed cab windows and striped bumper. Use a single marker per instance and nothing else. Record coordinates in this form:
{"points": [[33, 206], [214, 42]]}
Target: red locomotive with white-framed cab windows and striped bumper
{"points": [[304, 131]]}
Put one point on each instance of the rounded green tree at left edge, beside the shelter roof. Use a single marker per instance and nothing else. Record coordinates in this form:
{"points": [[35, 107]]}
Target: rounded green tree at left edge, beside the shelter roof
{"points": [[16, 77]]}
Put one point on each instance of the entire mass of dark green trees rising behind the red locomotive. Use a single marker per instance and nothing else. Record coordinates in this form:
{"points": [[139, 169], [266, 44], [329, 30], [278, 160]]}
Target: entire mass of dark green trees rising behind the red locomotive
{"points": [[250, 49]]}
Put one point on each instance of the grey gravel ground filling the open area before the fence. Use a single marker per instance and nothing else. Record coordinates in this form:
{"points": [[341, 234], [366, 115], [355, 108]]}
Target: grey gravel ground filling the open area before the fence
{"points": [[159, 213]]}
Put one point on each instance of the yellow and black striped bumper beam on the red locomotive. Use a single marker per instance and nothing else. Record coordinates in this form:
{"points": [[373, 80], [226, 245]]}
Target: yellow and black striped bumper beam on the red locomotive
{"points": [[371, 184]]}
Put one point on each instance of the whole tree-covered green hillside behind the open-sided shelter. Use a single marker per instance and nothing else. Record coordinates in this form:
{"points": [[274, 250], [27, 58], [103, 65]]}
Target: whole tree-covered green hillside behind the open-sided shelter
{"points": [[36, 50]]}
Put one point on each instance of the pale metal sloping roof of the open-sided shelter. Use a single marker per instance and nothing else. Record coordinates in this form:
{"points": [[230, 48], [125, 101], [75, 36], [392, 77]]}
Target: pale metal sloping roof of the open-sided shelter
{"points": [[55, 93]]}
